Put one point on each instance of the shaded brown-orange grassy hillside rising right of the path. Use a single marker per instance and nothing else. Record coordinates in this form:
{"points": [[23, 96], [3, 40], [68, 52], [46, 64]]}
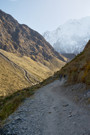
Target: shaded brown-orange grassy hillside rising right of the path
{"points": [[78, 70]]}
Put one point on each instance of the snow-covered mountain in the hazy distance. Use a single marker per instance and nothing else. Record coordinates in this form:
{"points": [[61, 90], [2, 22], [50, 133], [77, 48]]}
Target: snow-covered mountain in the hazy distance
{"points": [[70, 37]]}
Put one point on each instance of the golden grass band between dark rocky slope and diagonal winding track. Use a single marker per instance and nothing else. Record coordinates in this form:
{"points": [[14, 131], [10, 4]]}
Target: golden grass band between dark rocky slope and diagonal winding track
{"points": [[33, 66]]}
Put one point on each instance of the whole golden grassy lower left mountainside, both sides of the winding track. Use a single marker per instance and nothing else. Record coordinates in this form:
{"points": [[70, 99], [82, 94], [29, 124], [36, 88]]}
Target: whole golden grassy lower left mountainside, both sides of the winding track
{"points": [[12, 78]]}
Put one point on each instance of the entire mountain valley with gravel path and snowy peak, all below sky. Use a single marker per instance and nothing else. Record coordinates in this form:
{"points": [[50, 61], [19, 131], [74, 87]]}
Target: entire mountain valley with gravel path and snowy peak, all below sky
{"points": [[44, 90]]}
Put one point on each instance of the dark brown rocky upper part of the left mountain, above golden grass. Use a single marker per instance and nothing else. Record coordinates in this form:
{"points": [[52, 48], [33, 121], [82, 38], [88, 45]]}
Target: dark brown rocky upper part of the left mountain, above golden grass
{"points": [[18, 38]]}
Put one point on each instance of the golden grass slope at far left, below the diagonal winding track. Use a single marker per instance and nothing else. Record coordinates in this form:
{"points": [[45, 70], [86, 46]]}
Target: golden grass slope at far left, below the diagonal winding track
{"points": [[11, 78]]}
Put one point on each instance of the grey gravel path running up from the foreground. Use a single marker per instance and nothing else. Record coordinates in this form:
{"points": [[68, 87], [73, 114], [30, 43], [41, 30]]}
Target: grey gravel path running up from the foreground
{"points": [[48, 112]]}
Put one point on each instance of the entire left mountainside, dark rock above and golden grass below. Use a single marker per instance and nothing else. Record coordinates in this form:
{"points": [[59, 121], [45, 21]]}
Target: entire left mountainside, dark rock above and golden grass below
{"points": [[26, 57]]}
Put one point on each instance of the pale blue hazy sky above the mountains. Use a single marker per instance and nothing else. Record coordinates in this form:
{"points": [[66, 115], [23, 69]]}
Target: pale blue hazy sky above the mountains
{"points": [[43, 15]]}
